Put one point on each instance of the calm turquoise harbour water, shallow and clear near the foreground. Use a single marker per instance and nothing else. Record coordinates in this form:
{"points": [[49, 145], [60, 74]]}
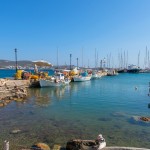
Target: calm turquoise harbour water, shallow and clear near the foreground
{"points": [[81, 110]]}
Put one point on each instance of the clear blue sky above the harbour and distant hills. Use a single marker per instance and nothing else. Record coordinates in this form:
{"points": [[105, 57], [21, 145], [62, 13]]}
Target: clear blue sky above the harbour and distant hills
{"points": [[90, 30]]}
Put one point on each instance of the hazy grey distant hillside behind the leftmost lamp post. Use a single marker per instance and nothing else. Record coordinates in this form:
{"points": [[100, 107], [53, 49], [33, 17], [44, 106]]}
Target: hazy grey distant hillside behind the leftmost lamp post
{"points": [[4, 63]]}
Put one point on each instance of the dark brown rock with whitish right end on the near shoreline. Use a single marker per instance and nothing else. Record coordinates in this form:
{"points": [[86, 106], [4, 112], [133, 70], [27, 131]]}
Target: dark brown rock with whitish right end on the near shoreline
{"points": [[97, 144]]}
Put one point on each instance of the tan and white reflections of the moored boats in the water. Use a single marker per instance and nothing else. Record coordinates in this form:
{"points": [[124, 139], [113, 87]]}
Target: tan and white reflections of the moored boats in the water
{"points": [[45, 96]]}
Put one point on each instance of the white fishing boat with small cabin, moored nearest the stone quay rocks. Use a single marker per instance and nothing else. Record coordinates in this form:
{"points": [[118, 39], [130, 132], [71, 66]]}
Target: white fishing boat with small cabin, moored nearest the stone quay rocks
{"points": [[56, 81]]}
